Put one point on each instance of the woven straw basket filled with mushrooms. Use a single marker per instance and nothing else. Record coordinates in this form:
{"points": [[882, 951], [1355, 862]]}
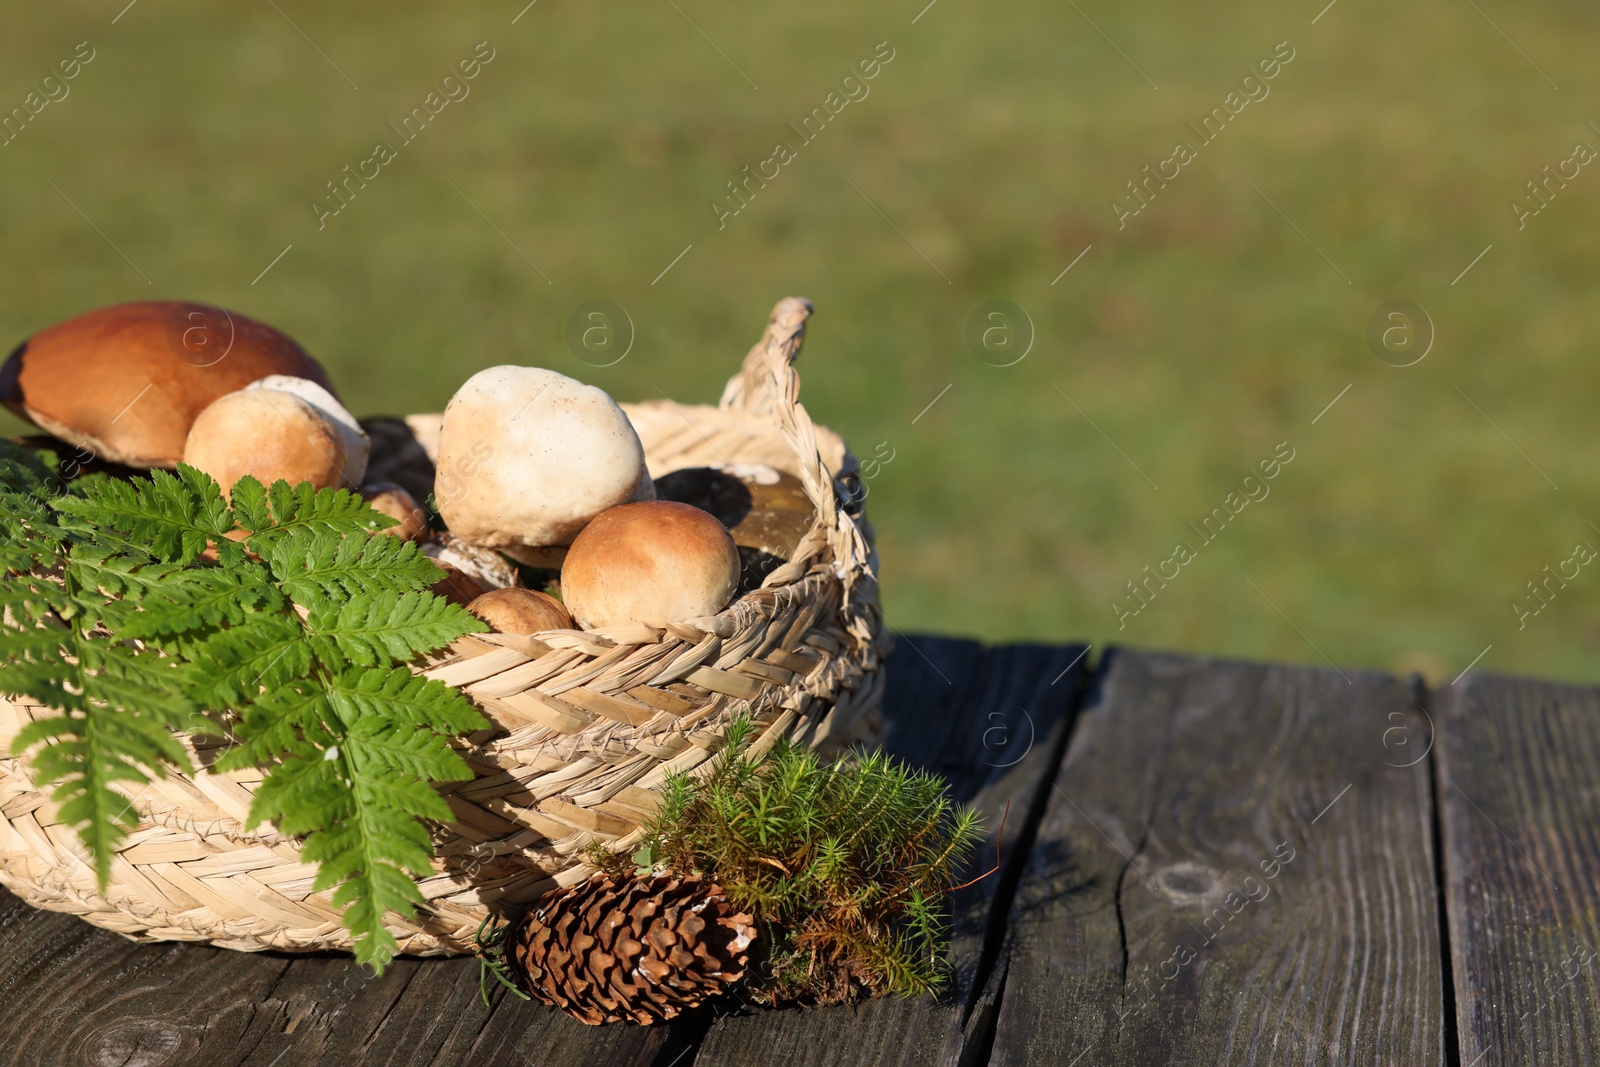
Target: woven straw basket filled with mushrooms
{"points": [[588, 725]]}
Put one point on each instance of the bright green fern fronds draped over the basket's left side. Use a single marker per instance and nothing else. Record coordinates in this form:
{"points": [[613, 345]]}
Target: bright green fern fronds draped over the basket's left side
{"points": [[111, 617]]}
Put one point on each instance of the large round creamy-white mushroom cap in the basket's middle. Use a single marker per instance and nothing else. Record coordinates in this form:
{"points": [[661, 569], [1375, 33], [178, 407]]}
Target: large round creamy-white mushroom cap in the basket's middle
{"points": [[529, 458]]}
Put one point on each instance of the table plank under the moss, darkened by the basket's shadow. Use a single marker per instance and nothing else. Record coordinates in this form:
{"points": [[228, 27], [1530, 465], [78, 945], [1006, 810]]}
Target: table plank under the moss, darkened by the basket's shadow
{"points": [[994, 724]]}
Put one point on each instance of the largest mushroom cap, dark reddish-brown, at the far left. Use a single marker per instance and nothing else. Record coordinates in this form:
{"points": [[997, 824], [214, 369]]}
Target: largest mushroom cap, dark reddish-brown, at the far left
{"points": [[129, 382]]}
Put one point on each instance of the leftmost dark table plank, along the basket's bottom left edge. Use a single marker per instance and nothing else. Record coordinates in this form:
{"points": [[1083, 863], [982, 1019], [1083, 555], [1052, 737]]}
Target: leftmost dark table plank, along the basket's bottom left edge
{"points": [[74, 994]]}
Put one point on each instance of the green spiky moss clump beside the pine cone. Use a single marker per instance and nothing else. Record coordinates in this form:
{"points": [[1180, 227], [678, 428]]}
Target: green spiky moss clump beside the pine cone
{"points": [[846, 866]]}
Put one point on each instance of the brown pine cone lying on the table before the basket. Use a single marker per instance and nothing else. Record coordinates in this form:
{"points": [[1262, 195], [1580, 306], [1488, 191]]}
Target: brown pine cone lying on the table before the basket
{"points": [[644, 949]]}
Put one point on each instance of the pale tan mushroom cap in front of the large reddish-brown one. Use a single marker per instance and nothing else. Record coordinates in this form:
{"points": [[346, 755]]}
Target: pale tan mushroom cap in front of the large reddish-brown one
{"points": [[266, 434]]}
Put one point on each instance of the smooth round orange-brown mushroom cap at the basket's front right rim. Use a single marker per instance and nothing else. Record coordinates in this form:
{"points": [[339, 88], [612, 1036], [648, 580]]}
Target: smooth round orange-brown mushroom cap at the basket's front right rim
{"points": [[655, 562]]}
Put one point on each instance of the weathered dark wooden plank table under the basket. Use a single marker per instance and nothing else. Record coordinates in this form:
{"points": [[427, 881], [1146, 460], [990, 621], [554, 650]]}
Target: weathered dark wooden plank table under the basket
{"points": [[1204, 863]]}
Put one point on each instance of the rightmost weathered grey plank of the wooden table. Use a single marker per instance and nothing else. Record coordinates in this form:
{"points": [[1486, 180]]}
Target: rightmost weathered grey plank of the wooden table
{"points": [[1521, 825]]}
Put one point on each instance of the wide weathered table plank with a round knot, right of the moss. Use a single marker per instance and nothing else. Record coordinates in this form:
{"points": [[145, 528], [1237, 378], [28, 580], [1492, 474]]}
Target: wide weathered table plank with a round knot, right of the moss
{"points": [[1231, 871]]}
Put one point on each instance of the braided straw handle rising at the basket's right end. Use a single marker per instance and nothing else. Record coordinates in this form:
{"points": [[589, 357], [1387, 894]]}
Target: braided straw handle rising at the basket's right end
{"points": [[769, 385]]}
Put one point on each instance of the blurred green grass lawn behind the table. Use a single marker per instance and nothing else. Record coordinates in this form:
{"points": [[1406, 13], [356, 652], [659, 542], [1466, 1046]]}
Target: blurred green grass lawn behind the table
{"points": [[1198, 338]]}
